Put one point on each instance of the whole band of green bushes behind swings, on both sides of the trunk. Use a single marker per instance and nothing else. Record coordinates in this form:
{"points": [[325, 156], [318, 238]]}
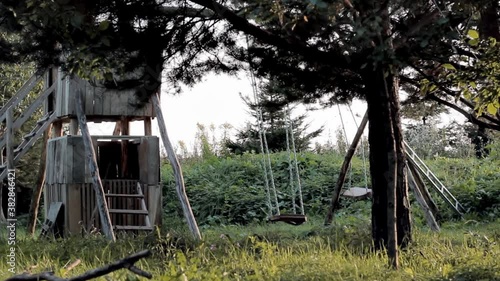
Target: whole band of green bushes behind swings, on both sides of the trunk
{"points": [[232, 190]]}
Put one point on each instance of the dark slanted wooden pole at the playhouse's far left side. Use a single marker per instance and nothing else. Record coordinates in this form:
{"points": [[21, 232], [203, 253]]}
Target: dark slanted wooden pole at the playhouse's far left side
{"points": [[37, 193]]}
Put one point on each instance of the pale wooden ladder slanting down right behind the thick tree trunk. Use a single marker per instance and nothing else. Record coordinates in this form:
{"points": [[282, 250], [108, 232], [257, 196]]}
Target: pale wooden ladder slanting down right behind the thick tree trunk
{"points": [[436, 184]]}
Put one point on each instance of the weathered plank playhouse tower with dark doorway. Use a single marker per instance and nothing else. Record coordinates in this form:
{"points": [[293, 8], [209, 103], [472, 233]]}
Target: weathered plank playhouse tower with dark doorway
{"points": [[129, 166]]}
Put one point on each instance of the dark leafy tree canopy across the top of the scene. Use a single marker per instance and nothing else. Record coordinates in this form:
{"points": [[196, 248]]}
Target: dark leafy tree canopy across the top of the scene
{"points": [[322, 47]]}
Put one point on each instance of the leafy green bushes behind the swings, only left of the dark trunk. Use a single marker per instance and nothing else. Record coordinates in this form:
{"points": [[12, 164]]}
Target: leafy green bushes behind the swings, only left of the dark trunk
{"points": [[232, 190]]}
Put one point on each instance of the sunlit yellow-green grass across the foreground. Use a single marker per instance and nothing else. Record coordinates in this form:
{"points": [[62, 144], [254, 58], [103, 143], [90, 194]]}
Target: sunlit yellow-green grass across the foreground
{"points": [[461, 251]]}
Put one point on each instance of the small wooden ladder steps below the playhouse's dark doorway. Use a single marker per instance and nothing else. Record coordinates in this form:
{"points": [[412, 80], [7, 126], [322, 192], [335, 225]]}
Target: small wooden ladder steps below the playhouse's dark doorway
{"points": [[125, 212]]}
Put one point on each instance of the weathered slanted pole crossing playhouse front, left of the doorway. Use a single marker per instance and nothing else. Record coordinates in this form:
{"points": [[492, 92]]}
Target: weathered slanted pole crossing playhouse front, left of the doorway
{"points": [[102, 206]]}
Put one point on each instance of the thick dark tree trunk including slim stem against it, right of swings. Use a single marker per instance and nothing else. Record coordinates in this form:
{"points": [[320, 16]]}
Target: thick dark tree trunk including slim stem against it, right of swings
{"points": [[391, 224]]}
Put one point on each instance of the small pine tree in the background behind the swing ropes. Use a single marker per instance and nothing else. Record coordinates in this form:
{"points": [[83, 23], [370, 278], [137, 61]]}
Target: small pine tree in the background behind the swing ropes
{"points": [[275, 114]]}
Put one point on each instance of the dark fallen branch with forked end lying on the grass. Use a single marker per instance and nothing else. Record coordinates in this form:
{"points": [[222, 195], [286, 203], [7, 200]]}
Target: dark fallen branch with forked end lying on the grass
{"points": [[127, 263]]}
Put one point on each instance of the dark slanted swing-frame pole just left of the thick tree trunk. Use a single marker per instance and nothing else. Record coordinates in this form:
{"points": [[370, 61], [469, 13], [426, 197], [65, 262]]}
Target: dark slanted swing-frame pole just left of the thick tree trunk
{"points": [[343, 170]]}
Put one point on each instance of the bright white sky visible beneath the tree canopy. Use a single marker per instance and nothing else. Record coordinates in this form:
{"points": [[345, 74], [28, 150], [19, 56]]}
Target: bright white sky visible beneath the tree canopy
{"points": [[217, 101]]}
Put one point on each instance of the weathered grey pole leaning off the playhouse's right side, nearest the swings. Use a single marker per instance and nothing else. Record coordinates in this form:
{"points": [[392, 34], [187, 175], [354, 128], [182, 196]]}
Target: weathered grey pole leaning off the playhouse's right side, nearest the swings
{"points": [[180, 188]]}
